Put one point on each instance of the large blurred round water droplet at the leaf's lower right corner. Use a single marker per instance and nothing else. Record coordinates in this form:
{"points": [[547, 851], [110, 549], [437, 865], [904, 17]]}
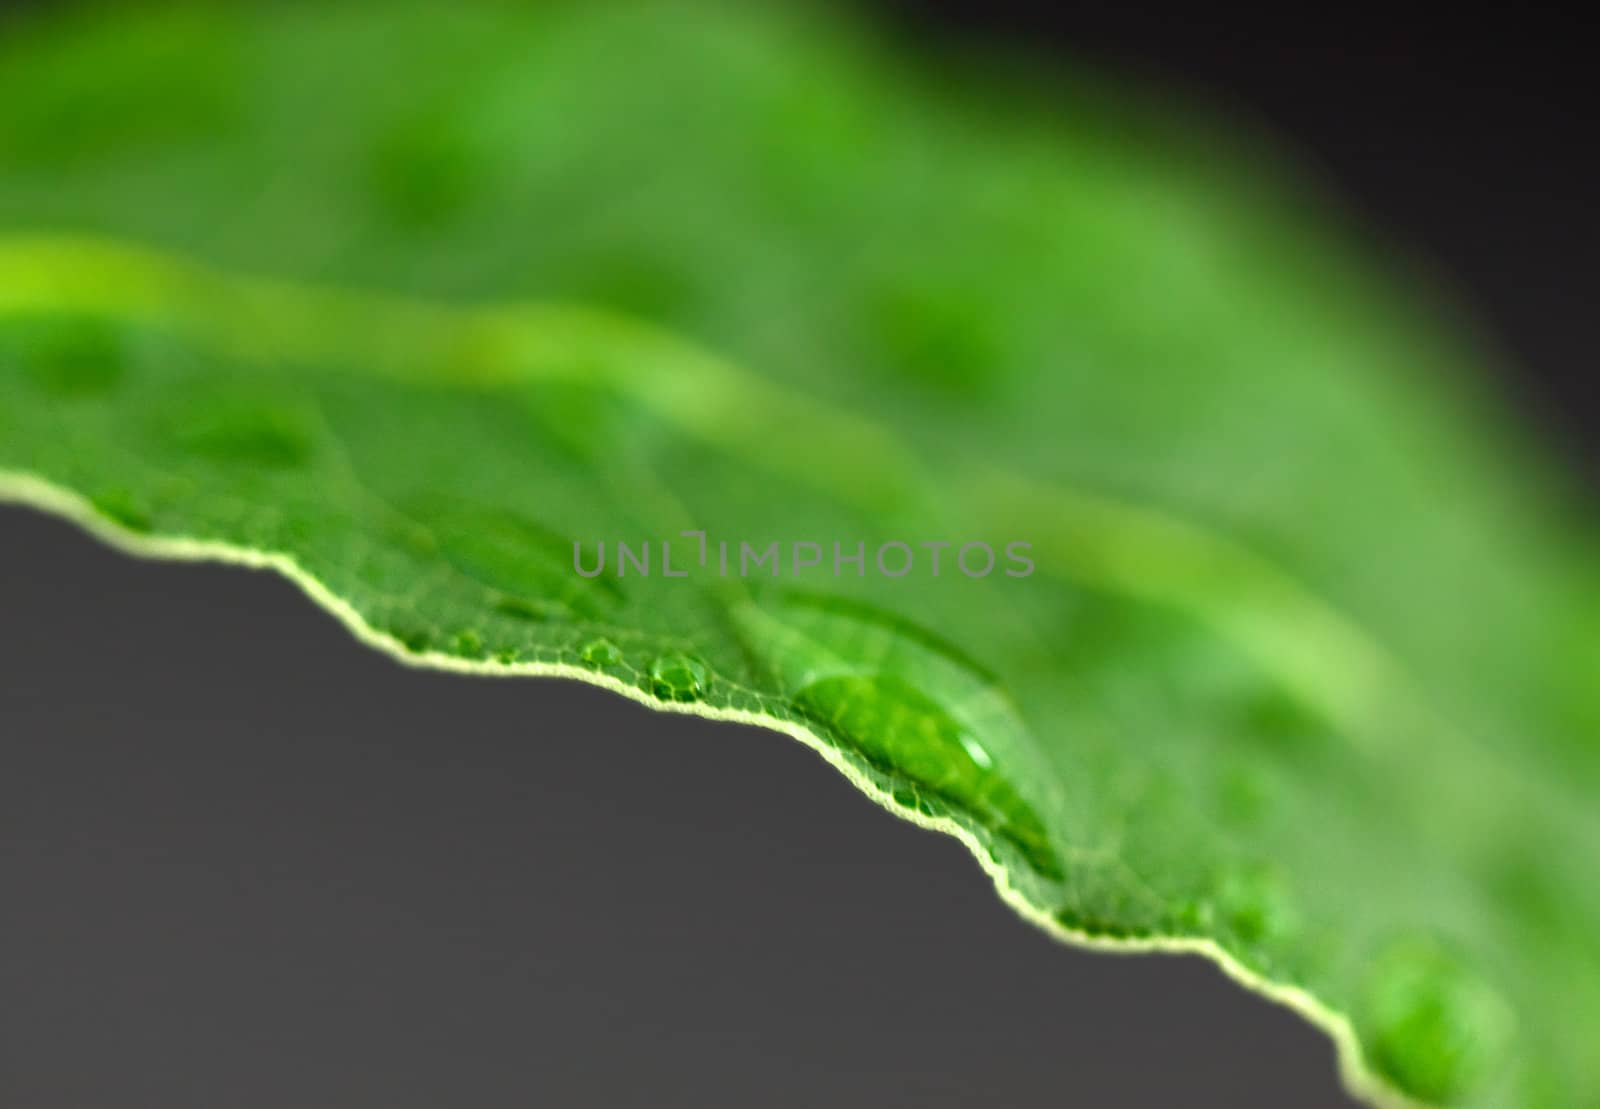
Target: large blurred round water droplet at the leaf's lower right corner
{"points": [[1436, 1028]]}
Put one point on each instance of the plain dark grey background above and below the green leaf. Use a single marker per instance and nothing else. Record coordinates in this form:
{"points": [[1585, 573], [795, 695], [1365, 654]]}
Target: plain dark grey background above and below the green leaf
{"points": [[246, 862]]}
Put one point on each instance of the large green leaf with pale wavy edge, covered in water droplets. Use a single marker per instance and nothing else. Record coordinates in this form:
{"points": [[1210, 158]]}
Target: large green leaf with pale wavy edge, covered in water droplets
{"points": [[1298, 665]]}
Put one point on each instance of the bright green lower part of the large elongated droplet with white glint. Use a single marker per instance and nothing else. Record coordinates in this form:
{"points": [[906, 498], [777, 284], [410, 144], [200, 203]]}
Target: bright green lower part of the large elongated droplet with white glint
{"points": [[905, 734]]}
